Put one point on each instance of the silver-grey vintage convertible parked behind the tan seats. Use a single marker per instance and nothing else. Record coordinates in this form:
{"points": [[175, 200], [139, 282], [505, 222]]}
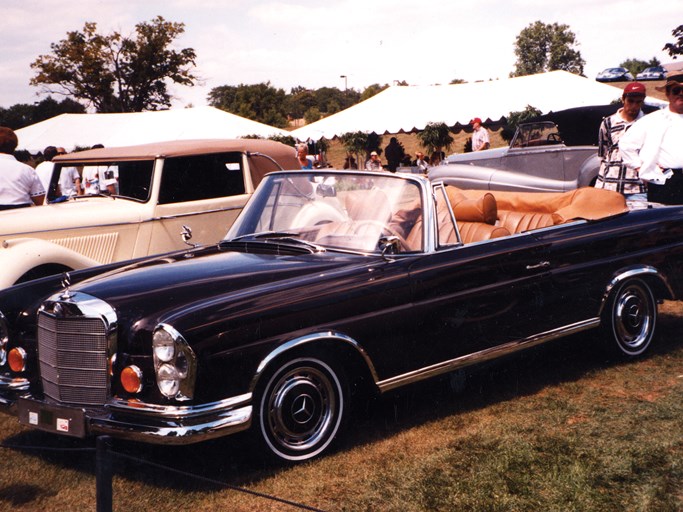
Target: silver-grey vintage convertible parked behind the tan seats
{"points": [[537, 160]]}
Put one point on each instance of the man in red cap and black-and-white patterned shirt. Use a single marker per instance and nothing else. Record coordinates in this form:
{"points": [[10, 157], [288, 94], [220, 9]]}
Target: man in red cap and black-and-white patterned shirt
{"points": [[614, 174]]}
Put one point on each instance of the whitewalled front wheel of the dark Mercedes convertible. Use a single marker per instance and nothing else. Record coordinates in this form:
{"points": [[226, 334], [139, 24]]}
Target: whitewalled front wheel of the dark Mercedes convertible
{"points": [[301, 408]]}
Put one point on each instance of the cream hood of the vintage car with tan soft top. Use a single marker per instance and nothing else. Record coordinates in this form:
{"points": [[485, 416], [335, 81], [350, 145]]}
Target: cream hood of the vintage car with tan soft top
{"points": [[75, 213]]}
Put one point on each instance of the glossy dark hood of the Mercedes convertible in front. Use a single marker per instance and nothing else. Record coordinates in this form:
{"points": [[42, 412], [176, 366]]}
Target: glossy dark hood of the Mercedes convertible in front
{"points": [[166, 288]]}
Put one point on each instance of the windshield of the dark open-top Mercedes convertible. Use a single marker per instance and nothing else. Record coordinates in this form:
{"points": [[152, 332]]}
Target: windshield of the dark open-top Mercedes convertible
{"points": [[335, 210]]}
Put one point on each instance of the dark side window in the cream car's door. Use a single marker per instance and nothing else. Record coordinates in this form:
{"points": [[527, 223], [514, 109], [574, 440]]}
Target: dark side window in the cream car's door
{"points": [[193, 178]]}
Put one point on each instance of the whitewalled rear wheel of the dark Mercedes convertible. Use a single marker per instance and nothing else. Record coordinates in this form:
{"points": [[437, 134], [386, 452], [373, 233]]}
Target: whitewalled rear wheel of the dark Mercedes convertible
{"points": [[630, 318]]}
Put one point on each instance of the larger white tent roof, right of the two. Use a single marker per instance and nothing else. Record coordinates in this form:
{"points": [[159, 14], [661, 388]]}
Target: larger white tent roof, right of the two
{"points": [[404, 109]]}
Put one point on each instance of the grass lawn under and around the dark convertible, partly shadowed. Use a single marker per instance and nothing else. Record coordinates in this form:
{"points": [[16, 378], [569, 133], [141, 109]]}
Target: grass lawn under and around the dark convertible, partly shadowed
{"points": [[557, 428]]}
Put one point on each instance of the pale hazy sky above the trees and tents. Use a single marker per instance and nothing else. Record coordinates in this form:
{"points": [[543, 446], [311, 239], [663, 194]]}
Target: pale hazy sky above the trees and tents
{"points": [[313, 44]]}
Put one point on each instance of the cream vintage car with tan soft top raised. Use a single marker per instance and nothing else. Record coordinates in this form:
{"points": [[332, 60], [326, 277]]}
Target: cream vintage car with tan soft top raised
{"points": [[162, 187]]}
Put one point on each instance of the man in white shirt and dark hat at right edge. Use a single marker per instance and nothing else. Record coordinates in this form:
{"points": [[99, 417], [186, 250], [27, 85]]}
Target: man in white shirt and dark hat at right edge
{"points": [[652, 147]]}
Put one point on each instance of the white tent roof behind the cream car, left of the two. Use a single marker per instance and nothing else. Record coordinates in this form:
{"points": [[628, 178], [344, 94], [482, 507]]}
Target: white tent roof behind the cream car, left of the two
{"points": [[84, 130]]}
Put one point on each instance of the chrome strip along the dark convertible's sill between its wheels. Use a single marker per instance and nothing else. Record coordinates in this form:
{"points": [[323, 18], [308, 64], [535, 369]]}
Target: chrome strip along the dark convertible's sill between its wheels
{"points": [[484, 355]]}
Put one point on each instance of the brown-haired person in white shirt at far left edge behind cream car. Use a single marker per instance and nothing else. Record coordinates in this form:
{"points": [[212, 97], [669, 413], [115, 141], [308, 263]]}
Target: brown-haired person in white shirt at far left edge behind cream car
{"points": [[19, 183]]}
